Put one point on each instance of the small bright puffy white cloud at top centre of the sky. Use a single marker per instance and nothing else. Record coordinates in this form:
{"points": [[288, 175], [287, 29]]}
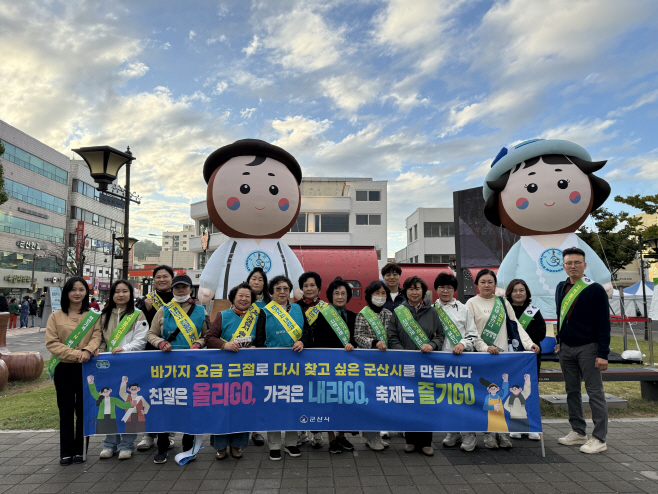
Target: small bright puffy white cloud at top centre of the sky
{"points": [[302, 40]]}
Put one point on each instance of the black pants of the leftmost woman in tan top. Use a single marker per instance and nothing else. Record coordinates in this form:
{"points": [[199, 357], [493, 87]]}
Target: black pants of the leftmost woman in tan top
{"points": [[68, 387]]}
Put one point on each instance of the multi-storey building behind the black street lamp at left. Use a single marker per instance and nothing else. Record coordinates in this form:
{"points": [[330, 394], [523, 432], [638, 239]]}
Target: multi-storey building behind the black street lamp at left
{"points": [[102, 214]]}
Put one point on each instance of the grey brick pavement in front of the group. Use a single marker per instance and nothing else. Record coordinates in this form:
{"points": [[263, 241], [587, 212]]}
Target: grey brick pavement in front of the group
{"points": [[29, 463]]}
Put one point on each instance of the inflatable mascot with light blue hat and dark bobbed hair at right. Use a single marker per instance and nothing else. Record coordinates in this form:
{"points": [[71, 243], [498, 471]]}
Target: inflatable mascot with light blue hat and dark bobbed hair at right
{"points": [[543, 190]]}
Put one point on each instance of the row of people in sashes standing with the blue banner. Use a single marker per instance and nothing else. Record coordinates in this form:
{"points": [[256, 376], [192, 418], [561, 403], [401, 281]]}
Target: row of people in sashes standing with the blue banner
{"points": [[262, 314]]}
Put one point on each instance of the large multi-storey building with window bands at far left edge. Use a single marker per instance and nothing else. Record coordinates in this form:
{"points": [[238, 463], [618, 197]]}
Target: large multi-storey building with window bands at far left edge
{"points": [[33, 220]]}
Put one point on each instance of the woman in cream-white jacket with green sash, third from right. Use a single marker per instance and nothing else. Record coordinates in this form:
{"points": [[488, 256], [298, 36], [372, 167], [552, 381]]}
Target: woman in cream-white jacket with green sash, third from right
{"points": [[485, 308]]}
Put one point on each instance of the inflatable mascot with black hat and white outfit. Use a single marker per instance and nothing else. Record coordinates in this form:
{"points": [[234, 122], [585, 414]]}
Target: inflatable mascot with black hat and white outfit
{"points": [[254, 199]]}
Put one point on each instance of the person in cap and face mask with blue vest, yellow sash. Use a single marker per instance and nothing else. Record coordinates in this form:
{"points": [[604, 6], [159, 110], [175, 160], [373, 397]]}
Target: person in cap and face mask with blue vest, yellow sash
{"points": [[167, 334]]}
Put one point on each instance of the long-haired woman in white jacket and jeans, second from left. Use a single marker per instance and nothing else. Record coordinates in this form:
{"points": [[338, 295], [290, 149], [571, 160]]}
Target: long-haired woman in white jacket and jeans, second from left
{"points": [[124, 329]]}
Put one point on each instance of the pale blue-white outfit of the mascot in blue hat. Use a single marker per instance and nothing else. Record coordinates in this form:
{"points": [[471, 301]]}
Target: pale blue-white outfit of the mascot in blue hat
{"points": [[542, 270]]}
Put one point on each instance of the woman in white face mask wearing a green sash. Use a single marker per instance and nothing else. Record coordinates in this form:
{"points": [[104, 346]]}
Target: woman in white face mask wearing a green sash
{"points": [[370, 333]]}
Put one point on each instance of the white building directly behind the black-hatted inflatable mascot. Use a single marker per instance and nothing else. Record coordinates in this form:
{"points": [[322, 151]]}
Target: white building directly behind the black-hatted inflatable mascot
{"points": [[334, 211]]}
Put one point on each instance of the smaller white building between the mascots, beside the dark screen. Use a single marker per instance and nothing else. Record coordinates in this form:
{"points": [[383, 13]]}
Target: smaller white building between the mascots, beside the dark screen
{"points": [[430, 237]]}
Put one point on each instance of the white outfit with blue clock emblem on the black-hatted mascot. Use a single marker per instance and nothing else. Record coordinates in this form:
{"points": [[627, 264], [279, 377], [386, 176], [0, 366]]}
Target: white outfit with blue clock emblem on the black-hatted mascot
{"points": [[269, 254]]}
